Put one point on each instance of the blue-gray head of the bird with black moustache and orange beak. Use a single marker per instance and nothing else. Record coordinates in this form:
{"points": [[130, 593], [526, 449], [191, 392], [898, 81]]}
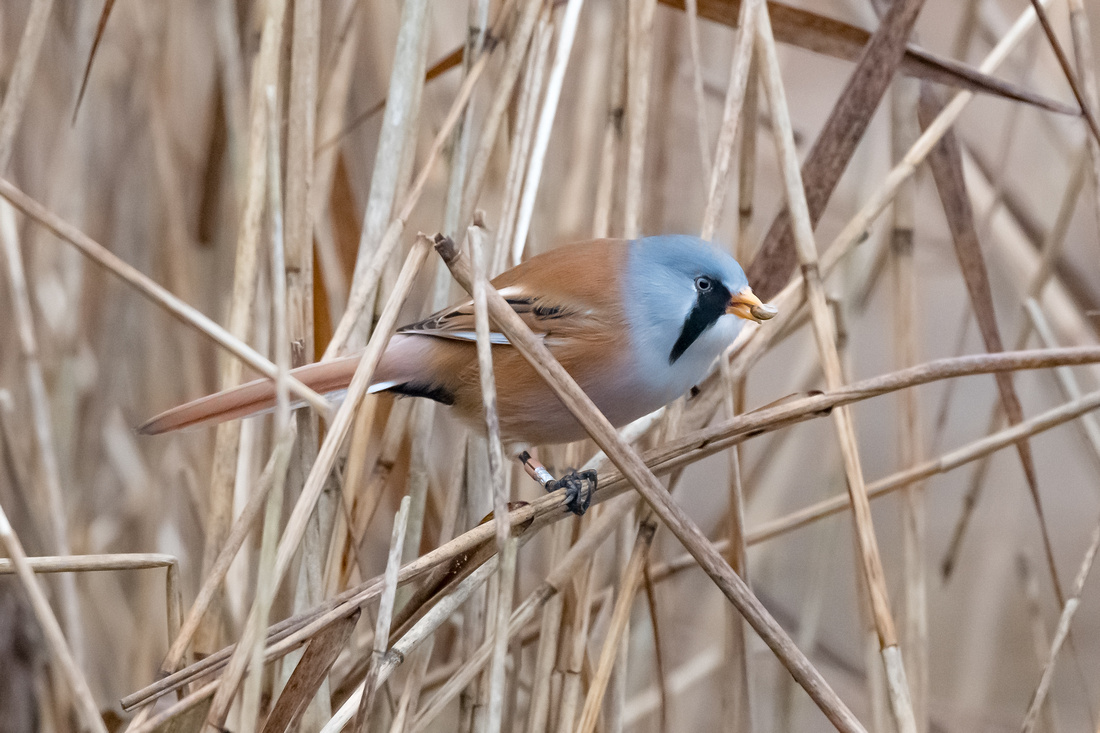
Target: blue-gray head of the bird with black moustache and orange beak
{"points": [[687, 302]]}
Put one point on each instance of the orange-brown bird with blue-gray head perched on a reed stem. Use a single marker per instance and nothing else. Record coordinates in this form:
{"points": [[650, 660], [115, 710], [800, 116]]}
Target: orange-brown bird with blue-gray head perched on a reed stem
{"points": [[636, 323]]}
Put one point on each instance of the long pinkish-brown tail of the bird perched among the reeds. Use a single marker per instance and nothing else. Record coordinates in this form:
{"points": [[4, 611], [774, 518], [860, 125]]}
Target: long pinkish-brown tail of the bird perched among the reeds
{"points": [[257, 397]]}
